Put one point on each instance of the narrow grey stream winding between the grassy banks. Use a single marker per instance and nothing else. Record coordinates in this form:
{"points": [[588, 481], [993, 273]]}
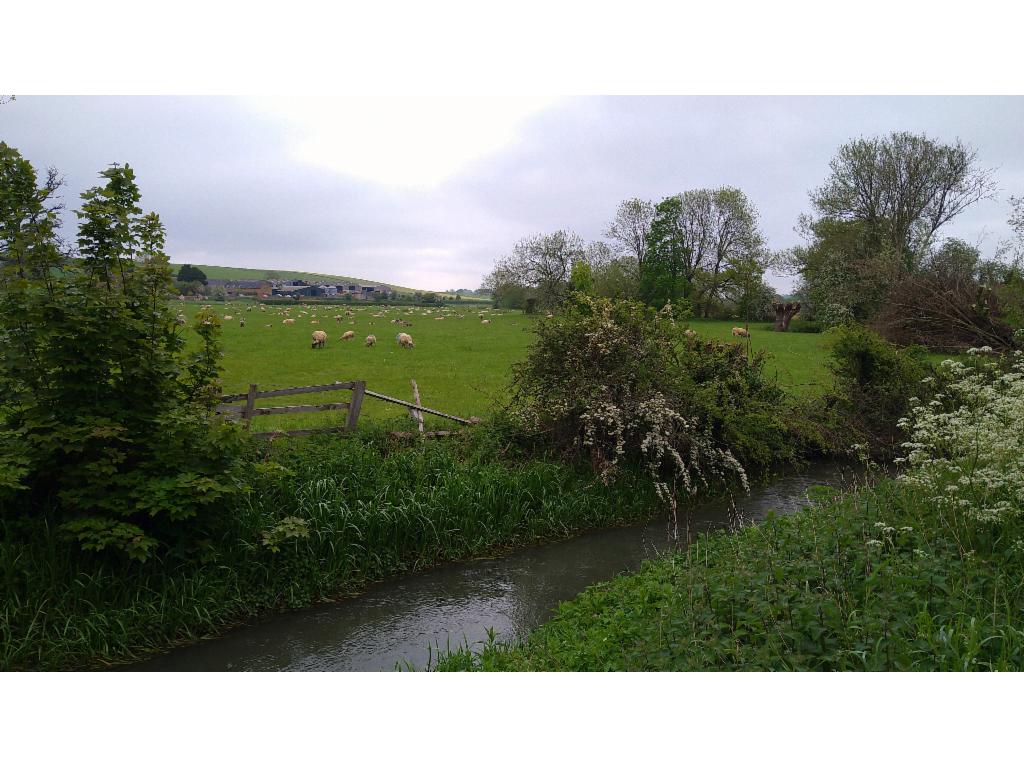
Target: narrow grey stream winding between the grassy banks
{"points": [[405, 621]]}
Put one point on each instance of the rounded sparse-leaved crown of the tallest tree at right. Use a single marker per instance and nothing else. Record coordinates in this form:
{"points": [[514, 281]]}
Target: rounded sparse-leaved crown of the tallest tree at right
{"points": [[905, 186]]}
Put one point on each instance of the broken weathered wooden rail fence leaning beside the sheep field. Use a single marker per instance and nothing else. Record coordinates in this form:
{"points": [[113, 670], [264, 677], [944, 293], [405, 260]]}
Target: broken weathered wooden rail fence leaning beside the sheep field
{"points": [[359, 390]]}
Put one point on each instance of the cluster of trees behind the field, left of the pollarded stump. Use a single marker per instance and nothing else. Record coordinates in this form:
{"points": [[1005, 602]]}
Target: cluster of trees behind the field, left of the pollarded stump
{"points": [[703, 249]]}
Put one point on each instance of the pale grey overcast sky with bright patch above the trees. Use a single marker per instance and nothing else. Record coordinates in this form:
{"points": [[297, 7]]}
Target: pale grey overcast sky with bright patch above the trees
{"points": [[429, 192]]}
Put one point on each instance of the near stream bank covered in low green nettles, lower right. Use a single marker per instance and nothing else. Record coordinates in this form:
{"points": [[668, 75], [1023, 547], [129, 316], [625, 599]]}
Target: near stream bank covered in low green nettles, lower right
{"points": [[881, 578]]}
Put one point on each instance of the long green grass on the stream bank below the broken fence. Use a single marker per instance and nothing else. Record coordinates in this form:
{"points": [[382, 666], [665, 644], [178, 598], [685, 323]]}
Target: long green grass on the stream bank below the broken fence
{"points": [[324, 518]]}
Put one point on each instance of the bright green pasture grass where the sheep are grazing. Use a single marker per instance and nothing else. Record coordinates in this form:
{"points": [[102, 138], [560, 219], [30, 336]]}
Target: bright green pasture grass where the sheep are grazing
{"points": [[461, 366]]}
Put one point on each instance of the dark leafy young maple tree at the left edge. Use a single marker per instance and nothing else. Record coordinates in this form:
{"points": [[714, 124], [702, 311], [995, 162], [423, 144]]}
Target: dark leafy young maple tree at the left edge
{"points": [[103, 419]]}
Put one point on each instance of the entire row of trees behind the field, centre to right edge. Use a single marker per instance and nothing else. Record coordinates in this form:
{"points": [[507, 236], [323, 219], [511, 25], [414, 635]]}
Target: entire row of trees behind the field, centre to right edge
{"points": [[874, 251]]}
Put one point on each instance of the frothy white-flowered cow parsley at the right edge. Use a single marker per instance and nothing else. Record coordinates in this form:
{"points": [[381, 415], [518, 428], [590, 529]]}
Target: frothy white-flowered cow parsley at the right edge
{"points": [[967, 445]]}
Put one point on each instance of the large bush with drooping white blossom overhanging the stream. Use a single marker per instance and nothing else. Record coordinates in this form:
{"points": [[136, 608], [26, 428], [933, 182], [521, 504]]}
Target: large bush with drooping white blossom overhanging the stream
{"points": [[619, 383]]}
